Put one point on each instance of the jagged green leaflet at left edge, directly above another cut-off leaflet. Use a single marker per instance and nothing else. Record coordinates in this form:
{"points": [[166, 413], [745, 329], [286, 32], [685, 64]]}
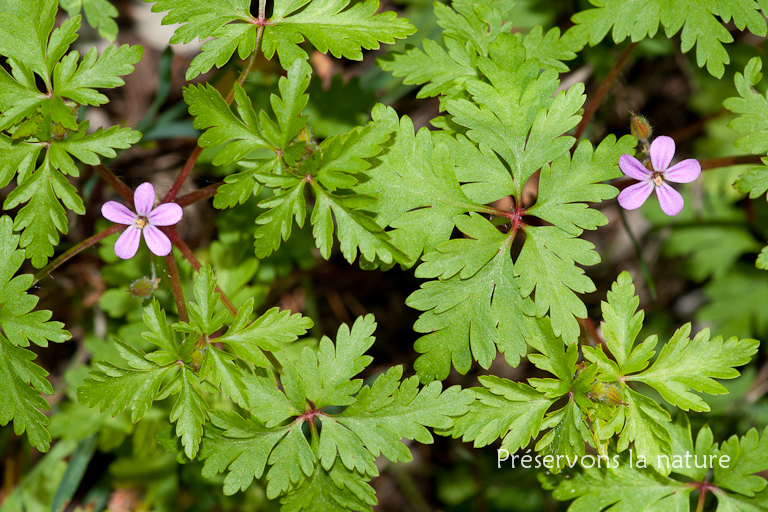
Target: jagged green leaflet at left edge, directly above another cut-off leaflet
{"points": [[18, 321]]}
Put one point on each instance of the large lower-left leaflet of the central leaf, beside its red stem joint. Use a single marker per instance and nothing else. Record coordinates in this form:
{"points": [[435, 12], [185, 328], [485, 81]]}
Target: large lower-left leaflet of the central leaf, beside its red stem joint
{"points": [[474, 308]]}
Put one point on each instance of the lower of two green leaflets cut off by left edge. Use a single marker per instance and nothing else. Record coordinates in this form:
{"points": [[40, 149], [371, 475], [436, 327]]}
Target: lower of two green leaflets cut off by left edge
{"points": [[21, 382]]}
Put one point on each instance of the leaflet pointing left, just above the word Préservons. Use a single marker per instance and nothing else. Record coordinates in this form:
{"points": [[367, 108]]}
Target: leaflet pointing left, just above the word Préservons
{"points": [[512, 411]]}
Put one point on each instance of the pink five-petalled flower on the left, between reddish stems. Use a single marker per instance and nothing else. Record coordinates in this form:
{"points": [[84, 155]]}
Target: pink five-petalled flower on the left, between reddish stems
{"points": [[146, 219]]}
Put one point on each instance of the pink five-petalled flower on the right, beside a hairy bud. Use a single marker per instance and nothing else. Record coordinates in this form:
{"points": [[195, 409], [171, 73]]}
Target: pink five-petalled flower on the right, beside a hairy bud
{"points": [[670, 200]]}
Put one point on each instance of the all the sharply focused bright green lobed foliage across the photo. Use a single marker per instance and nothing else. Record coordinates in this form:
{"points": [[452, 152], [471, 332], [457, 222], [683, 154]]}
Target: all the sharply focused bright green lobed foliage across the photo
{"points": [[389, 196]]}
